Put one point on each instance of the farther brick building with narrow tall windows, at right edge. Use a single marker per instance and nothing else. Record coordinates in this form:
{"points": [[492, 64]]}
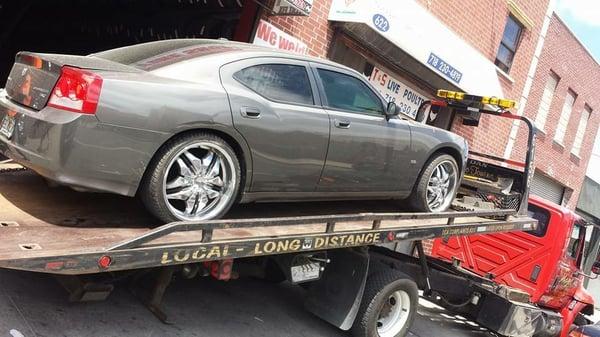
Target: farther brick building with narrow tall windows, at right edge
{"points": [[564, 103]]}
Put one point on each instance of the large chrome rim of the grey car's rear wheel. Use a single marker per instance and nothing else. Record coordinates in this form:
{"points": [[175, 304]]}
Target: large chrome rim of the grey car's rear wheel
{"points": [[199, 181]]}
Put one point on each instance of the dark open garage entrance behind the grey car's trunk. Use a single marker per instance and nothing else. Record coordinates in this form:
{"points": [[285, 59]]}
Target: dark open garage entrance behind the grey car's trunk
{"points": [[86, 26]]}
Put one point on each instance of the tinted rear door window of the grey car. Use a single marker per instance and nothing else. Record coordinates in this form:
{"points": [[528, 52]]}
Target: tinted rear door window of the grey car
{"points": [[278, 82]]}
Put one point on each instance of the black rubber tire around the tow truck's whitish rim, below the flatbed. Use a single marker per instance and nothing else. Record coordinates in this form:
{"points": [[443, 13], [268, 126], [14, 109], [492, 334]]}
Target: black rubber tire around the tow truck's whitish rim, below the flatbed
{"points": [[380, 286]]}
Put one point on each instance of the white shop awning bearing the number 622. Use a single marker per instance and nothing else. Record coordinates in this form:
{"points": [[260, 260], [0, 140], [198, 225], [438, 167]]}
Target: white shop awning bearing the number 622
{"points": [[412, 28]]}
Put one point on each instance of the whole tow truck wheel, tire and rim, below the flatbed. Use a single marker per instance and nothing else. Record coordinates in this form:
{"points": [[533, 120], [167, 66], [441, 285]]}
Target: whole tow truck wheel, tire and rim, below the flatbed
{"points": [[388, 305]]}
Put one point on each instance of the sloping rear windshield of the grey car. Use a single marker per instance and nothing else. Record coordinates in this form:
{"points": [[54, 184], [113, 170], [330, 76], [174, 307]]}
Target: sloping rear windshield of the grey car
{"points": [[155, 55]]}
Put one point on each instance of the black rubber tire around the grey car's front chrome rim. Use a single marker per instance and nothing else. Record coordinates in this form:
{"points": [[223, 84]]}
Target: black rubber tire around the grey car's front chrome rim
{"points": [[418, 198]]}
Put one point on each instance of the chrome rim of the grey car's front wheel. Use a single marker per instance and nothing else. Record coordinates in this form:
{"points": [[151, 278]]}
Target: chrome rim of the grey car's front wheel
{"points": [[441, 186]]}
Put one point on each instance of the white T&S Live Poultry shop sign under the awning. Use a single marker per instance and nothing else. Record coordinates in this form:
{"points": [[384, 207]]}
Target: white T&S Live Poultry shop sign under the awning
{"points": [[407, 99]]}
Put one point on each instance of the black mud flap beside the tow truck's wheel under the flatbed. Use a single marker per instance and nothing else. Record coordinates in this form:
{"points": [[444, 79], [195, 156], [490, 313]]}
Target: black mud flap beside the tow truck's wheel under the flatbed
{"points": [[336, 297]]}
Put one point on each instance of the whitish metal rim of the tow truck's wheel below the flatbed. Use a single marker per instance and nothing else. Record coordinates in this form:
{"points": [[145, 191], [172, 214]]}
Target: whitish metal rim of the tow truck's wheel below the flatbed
{"points": [[394, 314]]}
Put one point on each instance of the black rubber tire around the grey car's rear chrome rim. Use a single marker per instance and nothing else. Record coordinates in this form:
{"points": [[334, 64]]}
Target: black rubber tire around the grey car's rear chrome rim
{"points": [[151, 187]]}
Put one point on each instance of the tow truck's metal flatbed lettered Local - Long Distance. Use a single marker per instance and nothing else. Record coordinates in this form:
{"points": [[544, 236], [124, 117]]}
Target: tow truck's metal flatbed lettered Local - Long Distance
{"points": [[63, 232]]}
